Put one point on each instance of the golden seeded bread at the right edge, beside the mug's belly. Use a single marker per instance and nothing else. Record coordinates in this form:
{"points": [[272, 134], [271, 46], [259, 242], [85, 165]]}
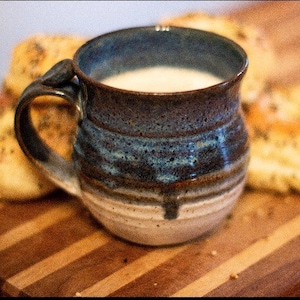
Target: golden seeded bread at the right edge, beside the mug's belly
{"points": [[274, 129]]}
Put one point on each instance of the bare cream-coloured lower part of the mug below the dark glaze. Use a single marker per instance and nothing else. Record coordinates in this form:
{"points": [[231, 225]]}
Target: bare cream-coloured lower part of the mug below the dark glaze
{"points": [[145, 224]]}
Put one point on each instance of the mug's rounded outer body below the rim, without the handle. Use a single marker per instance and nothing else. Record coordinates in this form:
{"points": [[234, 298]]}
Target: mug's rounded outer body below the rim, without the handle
{"points": [[162, 168]]}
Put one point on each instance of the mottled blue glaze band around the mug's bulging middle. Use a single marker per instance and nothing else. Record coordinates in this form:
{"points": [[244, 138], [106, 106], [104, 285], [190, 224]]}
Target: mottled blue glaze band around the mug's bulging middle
{"points": [[165, 160]]}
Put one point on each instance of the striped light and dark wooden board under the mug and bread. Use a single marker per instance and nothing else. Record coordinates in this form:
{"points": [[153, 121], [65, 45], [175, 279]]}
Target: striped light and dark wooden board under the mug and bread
{"points": [[52, 247]]}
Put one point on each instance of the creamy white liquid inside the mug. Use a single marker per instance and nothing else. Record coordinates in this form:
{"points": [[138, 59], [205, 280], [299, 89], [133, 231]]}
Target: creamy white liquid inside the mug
{"points": [[162, 79]]}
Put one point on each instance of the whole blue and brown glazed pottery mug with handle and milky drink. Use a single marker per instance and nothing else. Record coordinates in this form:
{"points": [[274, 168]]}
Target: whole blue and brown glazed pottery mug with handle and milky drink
{"points": [[161, 150]]}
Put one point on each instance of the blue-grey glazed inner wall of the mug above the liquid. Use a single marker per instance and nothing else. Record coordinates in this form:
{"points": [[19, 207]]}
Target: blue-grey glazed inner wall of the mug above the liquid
{"points": [[136, 48]]}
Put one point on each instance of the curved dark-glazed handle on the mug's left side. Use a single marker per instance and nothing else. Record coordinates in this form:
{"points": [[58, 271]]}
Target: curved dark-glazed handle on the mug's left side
{"points": [[58, 81]]}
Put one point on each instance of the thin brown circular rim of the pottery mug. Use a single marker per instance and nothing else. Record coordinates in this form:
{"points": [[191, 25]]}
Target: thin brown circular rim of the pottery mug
{"points": [[157, 28]]}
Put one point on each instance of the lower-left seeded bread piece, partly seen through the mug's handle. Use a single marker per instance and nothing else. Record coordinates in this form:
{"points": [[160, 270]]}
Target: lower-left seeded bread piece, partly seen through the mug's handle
{"points": [[20, 179]]}
